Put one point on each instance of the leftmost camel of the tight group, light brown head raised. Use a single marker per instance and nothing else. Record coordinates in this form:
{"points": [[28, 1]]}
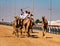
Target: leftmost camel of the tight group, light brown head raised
{"points": [[16, 26]]}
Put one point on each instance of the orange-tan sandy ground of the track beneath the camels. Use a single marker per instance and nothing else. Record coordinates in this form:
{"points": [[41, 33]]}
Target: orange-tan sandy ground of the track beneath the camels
{"points": [[36, 39]]}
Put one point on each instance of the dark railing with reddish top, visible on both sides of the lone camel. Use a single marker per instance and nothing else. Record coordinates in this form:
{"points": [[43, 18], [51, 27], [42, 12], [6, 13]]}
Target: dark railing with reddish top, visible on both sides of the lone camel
{"points": [[51, 28]]}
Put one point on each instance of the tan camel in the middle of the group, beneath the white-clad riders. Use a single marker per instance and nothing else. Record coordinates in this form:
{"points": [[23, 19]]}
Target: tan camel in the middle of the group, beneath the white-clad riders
{"points": [[28, 26]]}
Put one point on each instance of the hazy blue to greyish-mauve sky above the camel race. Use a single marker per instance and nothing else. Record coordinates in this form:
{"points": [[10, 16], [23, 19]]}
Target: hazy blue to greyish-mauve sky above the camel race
{"points": [[39, 8]]}
